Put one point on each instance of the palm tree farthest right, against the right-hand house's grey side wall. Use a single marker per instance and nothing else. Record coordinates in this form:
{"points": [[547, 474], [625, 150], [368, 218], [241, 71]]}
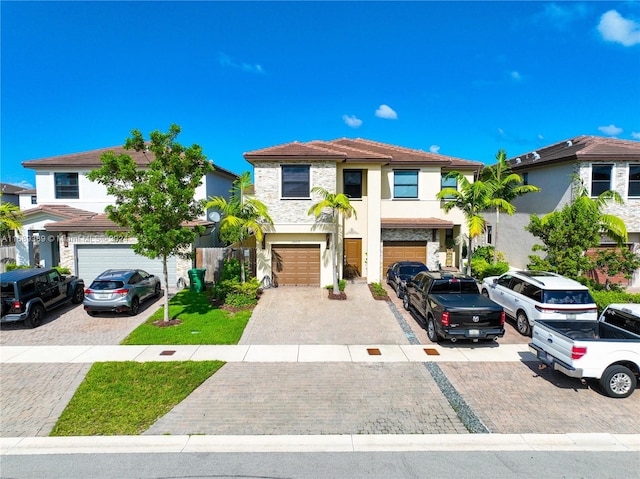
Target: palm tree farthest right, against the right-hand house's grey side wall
{"points": [[505, 186]]}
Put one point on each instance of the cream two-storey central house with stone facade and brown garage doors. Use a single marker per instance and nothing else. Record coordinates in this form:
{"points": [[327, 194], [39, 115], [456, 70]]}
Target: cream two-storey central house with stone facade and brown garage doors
{"points": [[393, 190]]}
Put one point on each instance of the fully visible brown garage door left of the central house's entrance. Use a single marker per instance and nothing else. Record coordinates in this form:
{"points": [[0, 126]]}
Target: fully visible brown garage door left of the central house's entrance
{"points": [[295, 265]]}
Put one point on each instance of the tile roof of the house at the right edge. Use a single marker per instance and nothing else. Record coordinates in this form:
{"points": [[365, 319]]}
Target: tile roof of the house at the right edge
{"points": [[580, 148]]}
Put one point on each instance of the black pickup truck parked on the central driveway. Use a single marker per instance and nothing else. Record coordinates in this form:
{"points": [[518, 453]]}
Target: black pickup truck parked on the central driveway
{"points": [[450, 306]]}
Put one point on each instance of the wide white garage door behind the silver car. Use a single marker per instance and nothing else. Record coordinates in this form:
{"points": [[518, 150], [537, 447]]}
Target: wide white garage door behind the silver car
{"points": [[93, 260]]}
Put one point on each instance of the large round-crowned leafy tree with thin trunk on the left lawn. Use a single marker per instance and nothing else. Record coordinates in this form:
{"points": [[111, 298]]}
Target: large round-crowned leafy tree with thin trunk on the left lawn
{"points": [[155, 203]]}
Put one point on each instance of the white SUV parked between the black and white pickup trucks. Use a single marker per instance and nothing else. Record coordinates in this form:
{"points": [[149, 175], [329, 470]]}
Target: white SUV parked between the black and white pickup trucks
{"points": [[530, 295]]}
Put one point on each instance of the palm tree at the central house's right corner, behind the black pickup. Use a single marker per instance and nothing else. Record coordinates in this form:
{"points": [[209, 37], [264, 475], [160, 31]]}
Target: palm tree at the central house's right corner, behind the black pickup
{"points": [[471, 199]]}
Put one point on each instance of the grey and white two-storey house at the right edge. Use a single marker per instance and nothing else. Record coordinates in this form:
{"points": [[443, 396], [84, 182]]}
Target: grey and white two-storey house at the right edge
{"points": [[602, 164]]}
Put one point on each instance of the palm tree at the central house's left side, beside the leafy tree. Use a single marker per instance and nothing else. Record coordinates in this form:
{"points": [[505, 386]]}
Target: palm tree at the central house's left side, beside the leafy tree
{"points": [[243, 215]]}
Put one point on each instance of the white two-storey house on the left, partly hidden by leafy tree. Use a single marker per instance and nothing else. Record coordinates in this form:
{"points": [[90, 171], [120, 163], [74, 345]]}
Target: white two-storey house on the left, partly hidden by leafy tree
{"points": [[67, 225]]}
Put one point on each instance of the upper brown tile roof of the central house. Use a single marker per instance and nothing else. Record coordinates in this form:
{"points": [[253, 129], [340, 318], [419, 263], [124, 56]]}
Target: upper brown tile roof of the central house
{"points": [[358, 150]]}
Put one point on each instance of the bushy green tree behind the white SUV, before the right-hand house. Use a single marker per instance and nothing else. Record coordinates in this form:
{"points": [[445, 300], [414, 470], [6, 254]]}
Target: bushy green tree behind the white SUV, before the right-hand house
{"points": [[568, 234]]}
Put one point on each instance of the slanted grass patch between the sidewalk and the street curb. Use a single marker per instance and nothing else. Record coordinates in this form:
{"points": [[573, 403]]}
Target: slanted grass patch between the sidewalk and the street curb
{"points": [[126, 398]]}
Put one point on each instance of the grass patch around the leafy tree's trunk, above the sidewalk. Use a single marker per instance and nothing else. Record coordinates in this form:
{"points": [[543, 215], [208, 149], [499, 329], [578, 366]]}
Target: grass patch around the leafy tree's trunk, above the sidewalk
{"points": [[202, 323]]}
